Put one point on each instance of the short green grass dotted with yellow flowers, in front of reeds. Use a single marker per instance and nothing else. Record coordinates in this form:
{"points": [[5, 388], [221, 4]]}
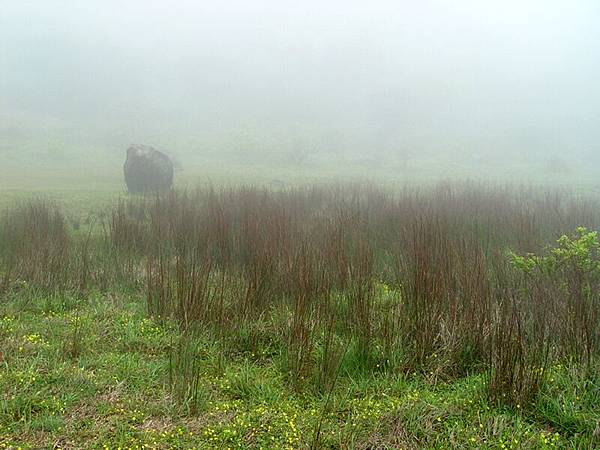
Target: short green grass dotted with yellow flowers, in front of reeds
{"points": [[94, 373]]}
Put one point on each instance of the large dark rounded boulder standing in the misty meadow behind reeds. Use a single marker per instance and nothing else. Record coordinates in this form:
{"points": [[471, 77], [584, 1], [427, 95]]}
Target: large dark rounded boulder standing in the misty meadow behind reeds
{"points": [[147, 170]]}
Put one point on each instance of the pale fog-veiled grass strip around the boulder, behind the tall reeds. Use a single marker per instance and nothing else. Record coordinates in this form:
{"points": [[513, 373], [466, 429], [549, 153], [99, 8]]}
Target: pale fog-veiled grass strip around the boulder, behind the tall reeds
{"points": [[62, 167]]}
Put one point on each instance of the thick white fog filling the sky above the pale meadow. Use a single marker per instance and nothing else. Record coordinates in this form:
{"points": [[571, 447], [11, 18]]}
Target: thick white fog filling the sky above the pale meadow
{"points": [[311, 82]]}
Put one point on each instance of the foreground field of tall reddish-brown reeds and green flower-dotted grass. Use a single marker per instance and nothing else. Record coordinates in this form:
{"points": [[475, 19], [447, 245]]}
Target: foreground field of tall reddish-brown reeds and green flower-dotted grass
{"points": [[338, 316]]}
